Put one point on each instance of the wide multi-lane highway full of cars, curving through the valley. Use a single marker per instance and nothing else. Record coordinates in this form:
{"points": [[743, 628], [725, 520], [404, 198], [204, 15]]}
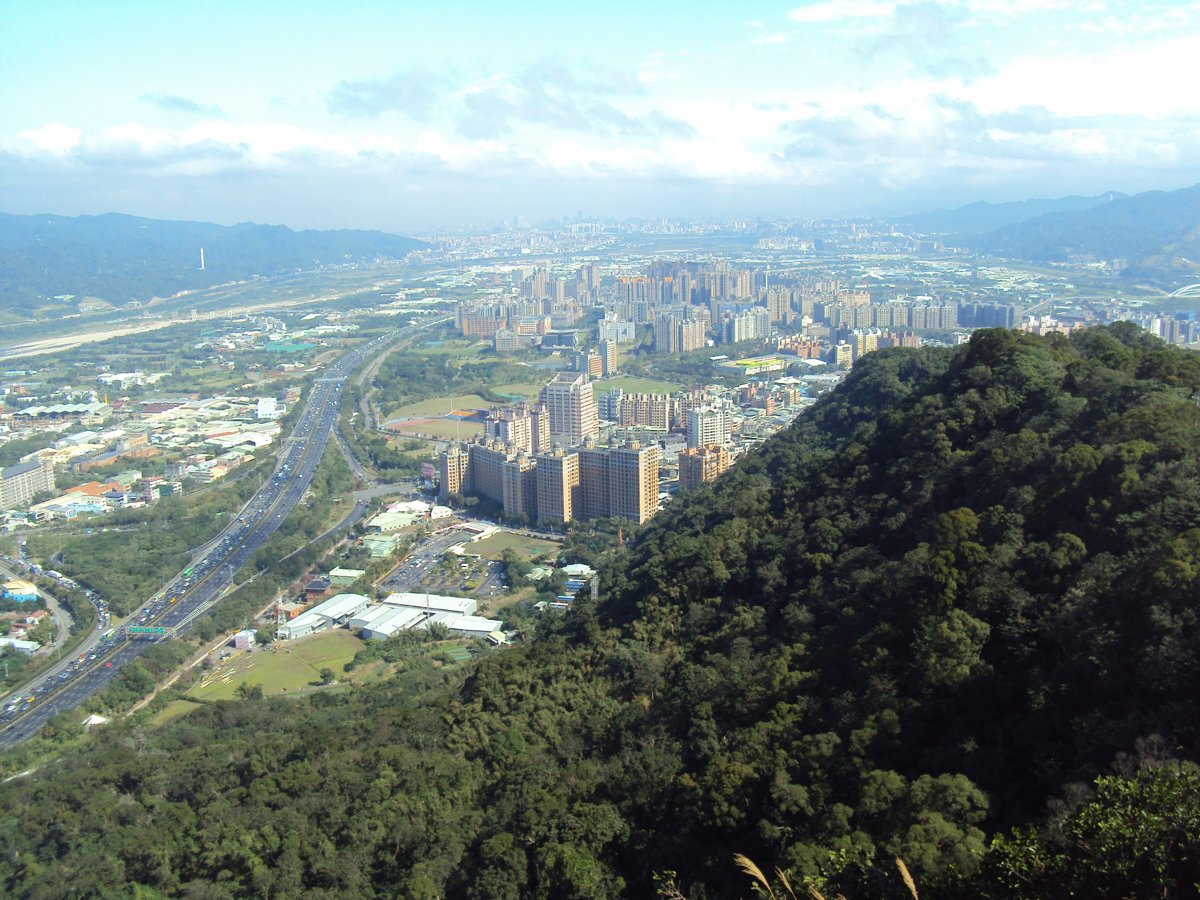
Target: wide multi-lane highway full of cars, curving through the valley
{"points": [[200, 586]]}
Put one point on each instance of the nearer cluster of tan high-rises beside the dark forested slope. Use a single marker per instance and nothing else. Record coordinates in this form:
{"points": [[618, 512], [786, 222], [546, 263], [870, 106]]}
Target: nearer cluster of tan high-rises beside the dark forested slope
{"points": [[544, 461]]}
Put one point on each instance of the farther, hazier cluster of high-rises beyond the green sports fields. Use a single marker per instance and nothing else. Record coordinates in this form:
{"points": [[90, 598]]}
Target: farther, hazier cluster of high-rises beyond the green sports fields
{"points": [[689, 305]]}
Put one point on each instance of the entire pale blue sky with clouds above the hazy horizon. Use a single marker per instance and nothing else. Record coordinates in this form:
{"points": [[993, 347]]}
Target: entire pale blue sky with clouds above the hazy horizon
{"points": [[401, 116]]}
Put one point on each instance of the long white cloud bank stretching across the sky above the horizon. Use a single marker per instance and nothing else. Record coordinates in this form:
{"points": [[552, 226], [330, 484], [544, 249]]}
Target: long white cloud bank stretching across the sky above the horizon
{"points": [[1057, 105]]}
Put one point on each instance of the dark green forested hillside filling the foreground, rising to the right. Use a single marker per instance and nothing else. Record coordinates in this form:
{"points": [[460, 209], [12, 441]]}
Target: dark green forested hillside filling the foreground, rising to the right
{"points": [[934, 611]]}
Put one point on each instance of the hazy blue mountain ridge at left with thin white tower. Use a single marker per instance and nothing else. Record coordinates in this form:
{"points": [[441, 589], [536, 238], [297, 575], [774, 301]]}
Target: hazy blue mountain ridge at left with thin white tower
{"points": [[119, 259]]}
